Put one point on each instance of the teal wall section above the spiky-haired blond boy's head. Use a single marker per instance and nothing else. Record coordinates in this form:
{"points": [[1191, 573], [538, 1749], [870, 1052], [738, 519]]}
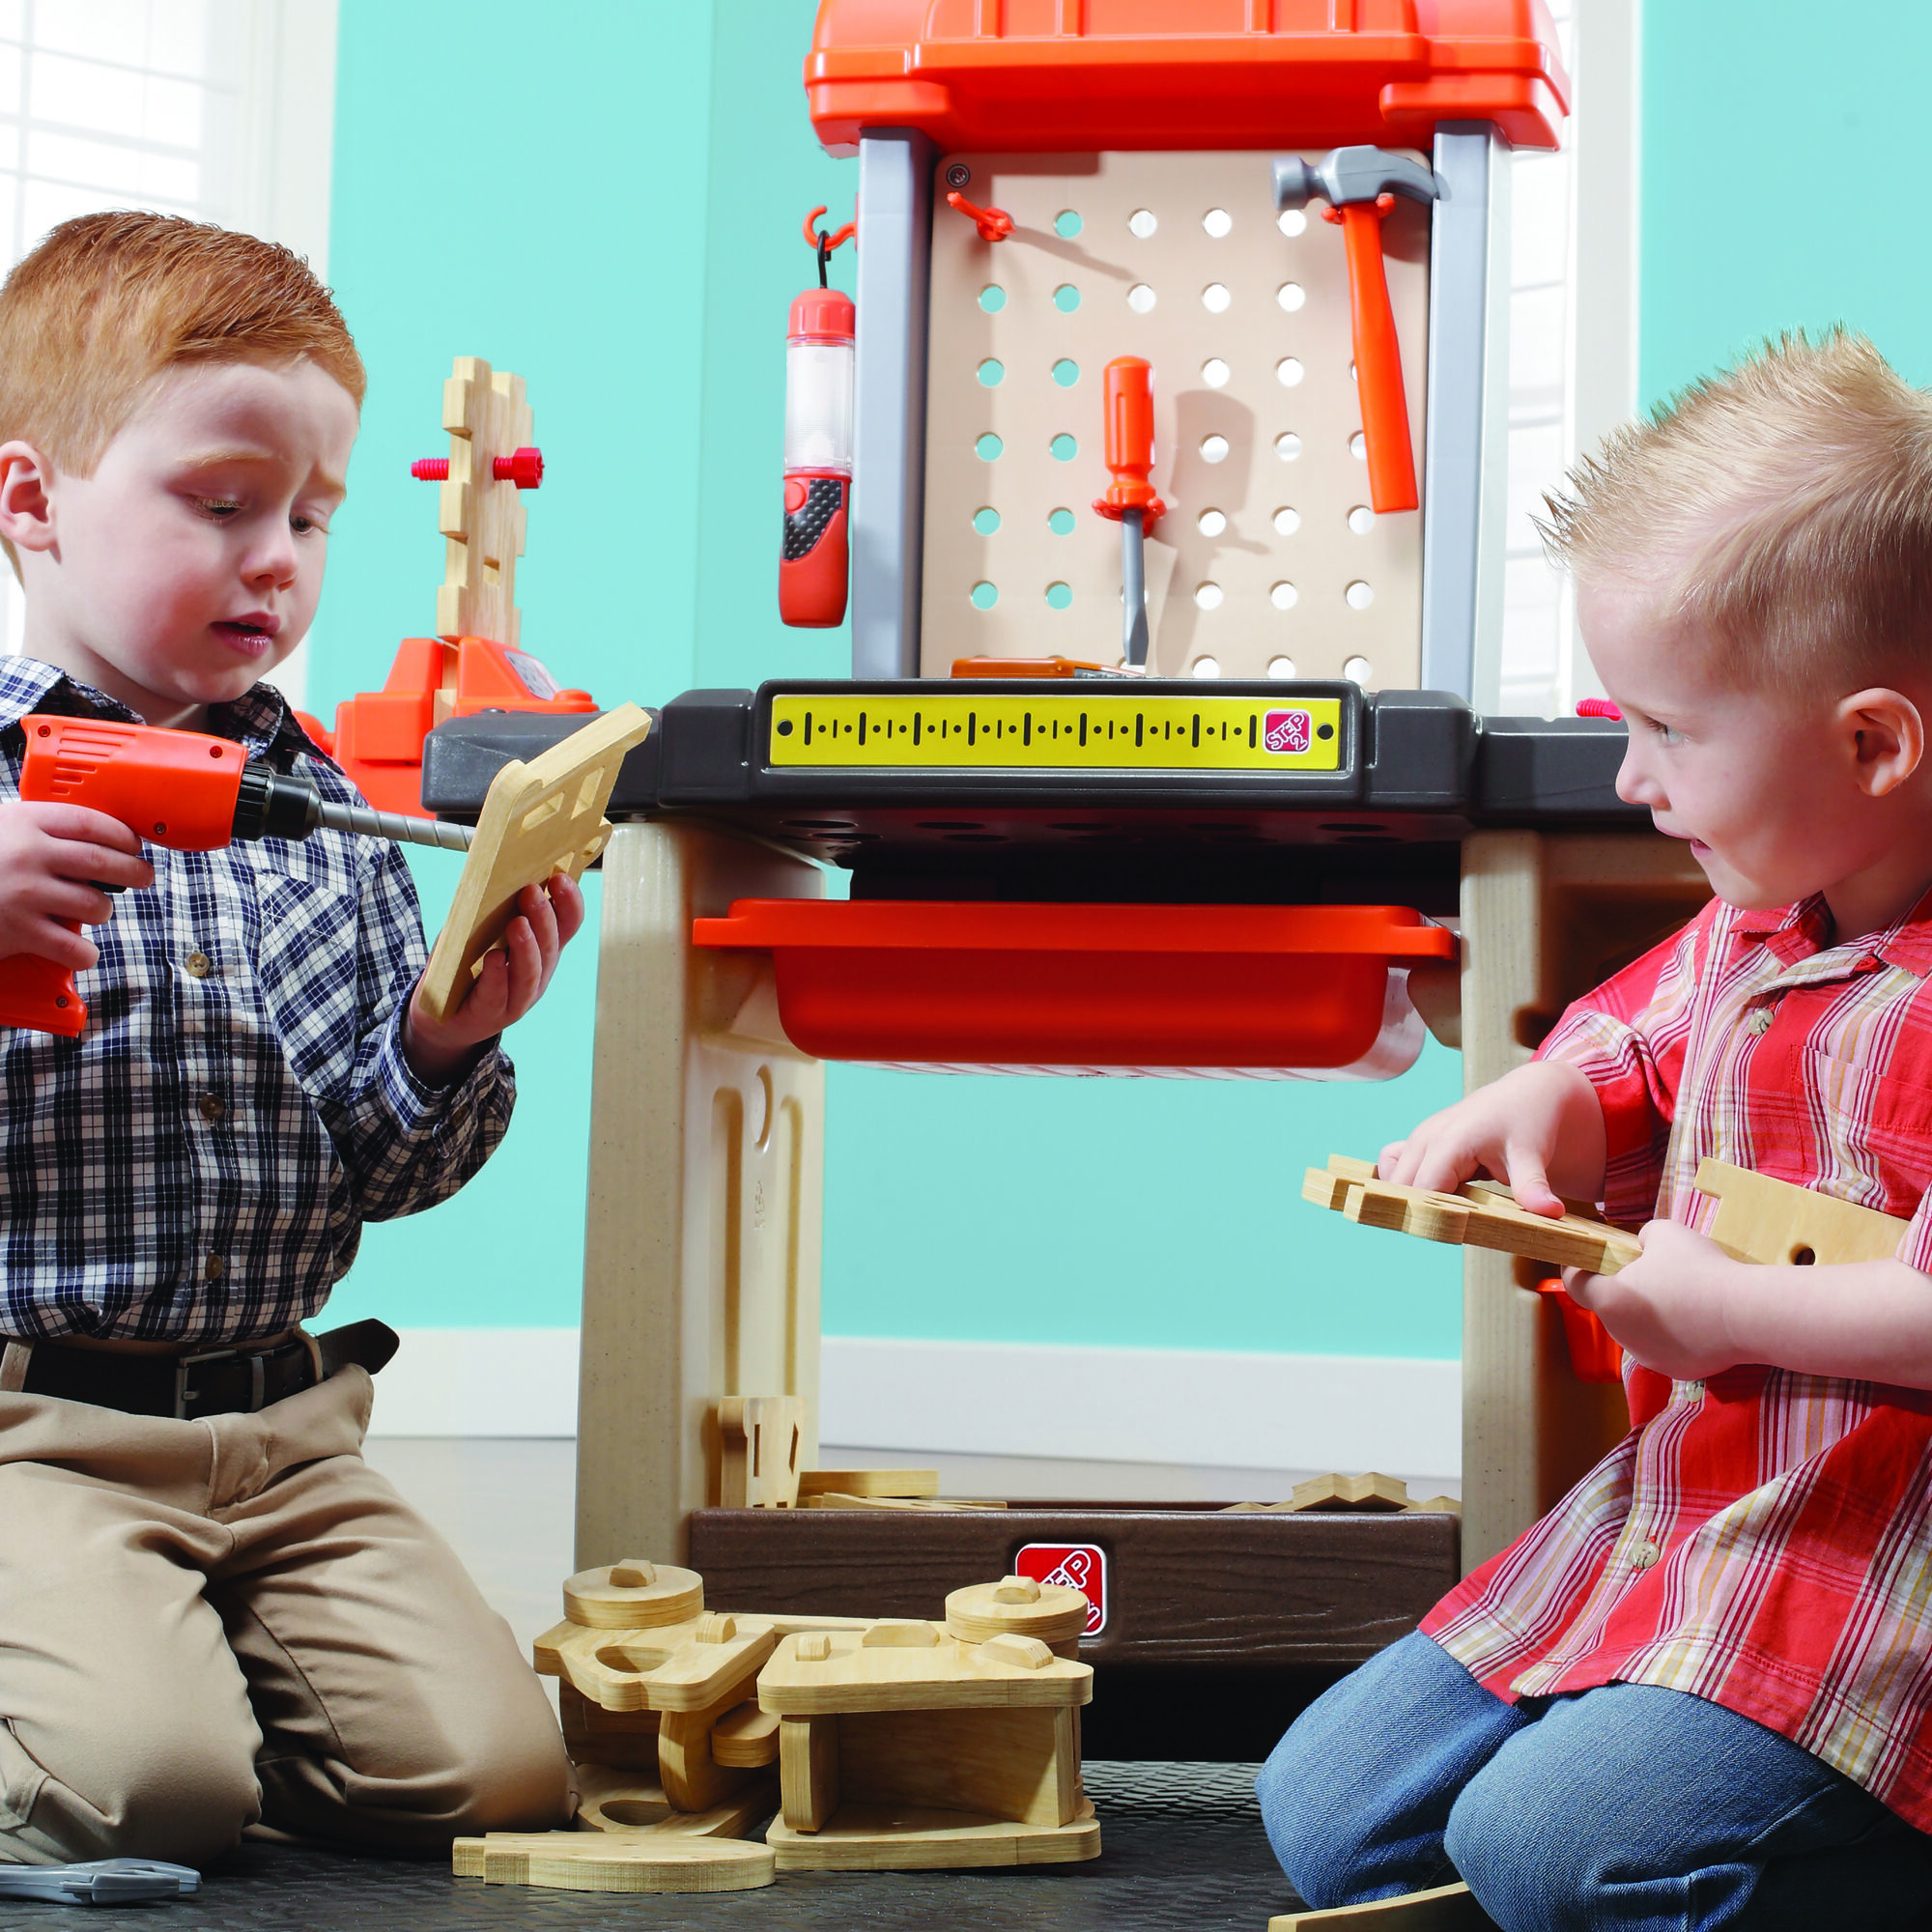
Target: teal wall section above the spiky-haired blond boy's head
{"points": [[1767, 196]]}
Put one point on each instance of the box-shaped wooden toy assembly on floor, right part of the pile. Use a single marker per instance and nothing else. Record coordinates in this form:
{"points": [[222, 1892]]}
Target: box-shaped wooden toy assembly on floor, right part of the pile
{"points": [[909, 1749]]}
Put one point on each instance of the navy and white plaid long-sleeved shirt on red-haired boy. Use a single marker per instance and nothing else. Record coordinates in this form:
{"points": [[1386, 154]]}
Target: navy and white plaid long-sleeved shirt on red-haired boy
{"points": [[200, 1162]]}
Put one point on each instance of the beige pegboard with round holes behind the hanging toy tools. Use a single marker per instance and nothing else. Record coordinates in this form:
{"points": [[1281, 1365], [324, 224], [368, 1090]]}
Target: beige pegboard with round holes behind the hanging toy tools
{"points": [[1183, 260]]}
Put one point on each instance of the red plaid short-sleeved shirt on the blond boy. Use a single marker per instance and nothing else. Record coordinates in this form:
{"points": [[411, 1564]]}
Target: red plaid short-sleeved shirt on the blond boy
{"points": [[1761, 1539]]}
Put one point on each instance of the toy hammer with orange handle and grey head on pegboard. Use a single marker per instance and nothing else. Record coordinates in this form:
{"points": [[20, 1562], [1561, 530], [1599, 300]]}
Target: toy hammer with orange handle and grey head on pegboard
{"points": [[1359, 186]]}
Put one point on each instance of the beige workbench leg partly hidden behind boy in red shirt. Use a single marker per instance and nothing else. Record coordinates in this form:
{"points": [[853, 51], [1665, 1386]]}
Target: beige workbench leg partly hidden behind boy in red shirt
{"points": [[1545, 919]]}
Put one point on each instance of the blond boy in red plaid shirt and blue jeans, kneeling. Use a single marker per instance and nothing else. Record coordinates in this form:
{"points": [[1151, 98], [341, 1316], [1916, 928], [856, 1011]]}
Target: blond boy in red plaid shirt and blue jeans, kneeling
{"points": [[1699, 1693]]}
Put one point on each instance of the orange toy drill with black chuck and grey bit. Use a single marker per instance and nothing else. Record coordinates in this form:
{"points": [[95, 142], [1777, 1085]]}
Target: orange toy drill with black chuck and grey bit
{"points": [[177, 789]]}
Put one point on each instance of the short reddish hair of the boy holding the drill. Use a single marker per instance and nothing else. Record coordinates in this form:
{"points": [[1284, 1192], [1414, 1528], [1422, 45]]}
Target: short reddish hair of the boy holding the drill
{"points": [[107, 302]]}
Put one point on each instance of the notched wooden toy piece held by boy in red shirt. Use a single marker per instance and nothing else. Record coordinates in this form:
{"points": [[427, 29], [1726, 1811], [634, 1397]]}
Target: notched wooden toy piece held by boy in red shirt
{"points": [[1759, 1220]]}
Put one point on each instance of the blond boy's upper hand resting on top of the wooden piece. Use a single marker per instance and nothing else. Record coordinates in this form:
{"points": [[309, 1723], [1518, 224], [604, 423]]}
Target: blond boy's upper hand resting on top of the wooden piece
{"points": [[1535, 1123]]}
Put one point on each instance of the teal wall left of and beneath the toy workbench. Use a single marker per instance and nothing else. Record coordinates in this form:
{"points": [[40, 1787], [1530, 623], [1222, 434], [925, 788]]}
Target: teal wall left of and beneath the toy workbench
{"points": [[627, 237]]}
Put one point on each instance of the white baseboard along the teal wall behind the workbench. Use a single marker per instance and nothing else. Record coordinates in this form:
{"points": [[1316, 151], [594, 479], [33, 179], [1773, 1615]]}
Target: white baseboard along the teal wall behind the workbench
{"points": [[1100, 1406]]}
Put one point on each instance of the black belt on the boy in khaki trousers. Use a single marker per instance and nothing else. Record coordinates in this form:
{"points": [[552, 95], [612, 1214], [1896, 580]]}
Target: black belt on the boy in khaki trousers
{"points": [[212, 1382]]}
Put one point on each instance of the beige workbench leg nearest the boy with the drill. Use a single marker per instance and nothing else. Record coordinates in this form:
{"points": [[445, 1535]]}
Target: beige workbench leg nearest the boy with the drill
{"points": [[706, 1168]]}
